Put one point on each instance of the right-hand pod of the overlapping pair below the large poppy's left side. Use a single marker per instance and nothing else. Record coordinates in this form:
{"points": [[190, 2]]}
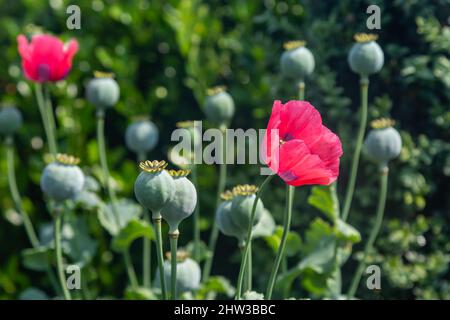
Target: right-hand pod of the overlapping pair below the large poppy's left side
{"points": [[242, 204]]}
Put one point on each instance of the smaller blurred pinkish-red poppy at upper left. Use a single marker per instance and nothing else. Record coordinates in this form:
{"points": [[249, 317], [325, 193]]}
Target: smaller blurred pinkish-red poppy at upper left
{"points": [[46, 58]]}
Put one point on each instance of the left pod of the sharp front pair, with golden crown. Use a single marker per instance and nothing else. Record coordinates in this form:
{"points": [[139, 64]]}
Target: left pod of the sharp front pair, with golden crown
{"points": [[154, 186]]}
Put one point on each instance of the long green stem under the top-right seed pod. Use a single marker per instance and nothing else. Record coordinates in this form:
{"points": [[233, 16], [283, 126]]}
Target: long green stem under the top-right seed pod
{"points": [[364, 87]]}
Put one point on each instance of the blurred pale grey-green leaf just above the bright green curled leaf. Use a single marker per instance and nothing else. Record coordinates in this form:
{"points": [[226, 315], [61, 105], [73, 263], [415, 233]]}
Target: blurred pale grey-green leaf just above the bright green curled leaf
{"points": [[127, 210]]}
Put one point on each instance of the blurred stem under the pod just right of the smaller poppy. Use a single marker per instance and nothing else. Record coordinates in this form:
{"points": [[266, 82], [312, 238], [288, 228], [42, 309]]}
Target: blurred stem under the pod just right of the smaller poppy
{"points": [[104, 163]]}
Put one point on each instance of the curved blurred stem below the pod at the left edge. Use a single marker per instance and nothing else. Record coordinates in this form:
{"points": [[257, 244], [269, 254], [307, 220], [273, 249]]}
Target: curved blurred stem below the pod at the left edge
{"points": [[15, 193]]}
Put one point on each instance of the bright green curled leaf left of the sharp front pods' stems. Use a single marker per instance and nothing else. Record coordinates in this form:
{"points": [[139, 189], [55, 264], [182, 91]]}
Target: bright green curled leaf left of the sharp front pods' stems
{"points": [[133, 230]]}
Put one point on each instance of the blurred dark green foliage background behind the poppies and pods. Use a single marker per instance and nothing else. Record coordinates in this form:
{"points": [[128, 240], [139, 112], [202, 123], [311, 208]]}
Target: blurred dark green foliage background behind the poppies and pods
{"points": [[165, 54]]}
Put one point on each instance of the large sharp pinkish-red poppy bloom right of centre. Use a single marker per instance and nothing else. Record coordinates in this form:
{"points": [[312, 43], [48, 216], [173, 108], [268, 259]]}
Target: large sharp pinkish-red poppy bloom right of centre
{"points": [[298, 147]]}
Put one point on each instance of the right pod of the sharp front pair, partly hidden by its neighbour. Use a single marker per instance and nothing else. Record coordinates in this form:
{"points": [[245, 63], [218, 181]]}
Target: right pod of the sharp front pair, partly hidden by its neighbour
{"points": [[183, 202]]}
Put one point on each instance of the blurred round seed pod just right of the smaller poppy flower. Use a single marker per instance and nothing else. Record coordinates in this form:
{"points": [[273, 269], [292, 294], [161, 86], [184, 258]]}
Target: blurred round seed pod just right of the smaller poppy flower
{"points": [[102, 91]]}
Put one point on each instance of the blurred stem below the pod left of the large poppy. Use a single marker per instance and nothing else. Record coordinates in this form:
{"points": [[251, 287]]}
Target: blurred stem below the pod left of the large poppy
{"points": [[215, 229]]}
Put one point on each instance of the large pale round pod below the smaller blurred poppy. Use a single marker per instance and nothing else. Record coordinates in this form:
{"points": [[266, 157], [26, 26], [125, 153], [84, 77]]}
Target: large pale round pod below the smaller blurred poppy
{"points": [[62, 179]]}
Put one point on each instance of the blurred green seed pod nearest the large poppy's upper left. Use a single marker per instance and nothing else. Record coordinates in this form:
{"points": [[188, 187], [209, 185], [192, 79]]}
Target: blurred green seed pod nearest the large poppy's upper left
{"points": [[219, 106]]}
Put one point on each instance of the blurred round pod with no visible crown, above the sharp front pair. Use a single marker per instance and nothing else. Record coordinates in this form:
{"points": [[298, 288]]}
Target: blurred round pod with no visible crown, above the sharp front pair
{"points": [[141, 136]]}
